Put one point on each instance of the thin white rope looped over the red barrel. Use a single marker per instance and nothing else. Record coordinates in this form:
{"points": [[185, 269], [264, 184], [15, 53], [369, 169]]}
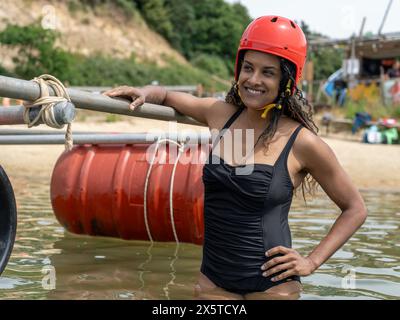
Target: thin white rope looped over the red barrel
{"points": [[181, 149]]}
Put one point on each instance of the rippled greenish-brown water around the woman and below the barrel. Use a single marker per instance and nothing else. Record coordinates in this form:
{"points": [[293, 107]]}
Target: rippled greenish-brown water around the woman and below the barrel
{"points": [[106, 268]]}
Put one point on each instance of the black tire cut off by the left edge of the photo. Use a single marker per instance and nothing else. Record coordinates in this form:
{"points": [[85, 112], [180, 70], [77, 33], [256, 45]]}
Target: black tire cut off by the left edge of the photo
{"points": [[8, 219]]}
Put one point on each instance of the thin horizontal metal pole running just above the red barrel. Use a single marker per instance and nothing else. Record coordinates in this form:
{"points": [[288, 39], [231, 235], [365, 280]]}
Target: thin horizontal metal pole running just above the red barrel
{"points": [[120, 138]]}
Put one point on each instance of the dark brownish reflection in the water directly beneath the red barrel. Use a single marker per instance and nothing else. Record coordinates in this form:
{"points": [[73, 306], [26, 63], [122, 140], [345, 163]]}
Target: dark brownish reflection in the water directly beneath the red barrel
{"points": [[103, 268]]}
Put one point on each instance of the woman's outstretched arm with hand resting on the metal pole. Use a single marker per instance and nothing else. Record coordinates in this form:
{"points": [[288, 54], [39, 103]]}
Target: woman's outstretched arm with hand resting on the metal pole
{"points": [[200, 109]]}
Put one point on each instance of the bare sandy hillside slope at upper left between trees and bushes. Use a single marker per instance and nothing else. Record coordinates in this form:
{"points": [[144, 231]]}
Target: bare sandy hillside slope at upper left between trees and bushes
{"points": [[86, 31]]}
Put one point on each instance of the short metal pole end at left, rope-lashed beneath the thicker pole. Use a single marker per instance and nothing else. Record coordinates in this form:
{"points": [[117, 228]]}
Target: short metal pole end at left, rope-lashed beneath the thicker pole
{"points": [[64, 112]]}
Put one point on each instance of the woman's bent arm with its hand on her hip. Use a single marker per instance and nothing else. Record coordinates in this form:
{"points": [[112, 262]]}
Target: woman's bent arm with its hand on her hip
{"points": [[317, 158]]}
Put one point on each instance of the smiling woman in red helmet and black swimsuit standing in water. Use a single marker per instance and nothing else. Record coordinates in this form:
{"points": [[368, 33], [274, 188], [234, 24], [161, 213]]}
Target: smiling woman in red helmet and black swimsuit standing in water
{"points": [[247, 245]]}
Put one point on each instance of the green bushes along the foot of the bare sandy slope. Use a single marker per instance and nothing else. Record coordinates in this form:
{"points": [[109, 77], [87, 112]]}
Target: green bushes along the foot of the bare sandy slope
{"points": [[37, 55]]}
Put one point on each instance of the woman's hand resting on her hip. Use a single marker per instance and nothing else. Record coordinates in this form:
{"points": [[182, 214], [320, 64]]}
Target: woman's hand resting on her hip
{"points": [[291, 261]]}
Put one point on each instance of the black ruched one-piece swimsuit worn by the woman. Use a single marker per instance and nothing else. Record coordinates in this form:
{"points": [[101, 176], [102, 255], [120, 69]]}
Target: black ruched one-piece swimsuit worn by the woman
{"points": [[244, 216]]}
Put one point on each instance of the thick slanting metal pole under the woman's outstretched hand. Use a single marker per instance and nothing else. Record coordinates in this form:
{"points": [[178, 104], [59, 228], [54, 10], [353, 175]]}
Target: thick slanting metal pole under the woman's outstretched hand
{"points": [[29, 90]]}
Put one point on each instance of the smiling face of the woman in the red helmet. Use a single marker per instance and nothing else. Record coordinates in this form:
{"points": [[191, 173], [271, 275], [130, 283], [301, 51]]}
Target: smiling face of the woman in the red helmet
{"points": [[259, 79]]}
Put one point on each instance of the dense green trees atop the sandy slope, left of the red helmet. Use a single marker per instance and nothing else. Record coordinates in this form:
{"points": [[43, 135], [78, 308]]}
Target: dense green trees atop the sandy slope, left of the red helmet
{"points": [[207, 27]]}
